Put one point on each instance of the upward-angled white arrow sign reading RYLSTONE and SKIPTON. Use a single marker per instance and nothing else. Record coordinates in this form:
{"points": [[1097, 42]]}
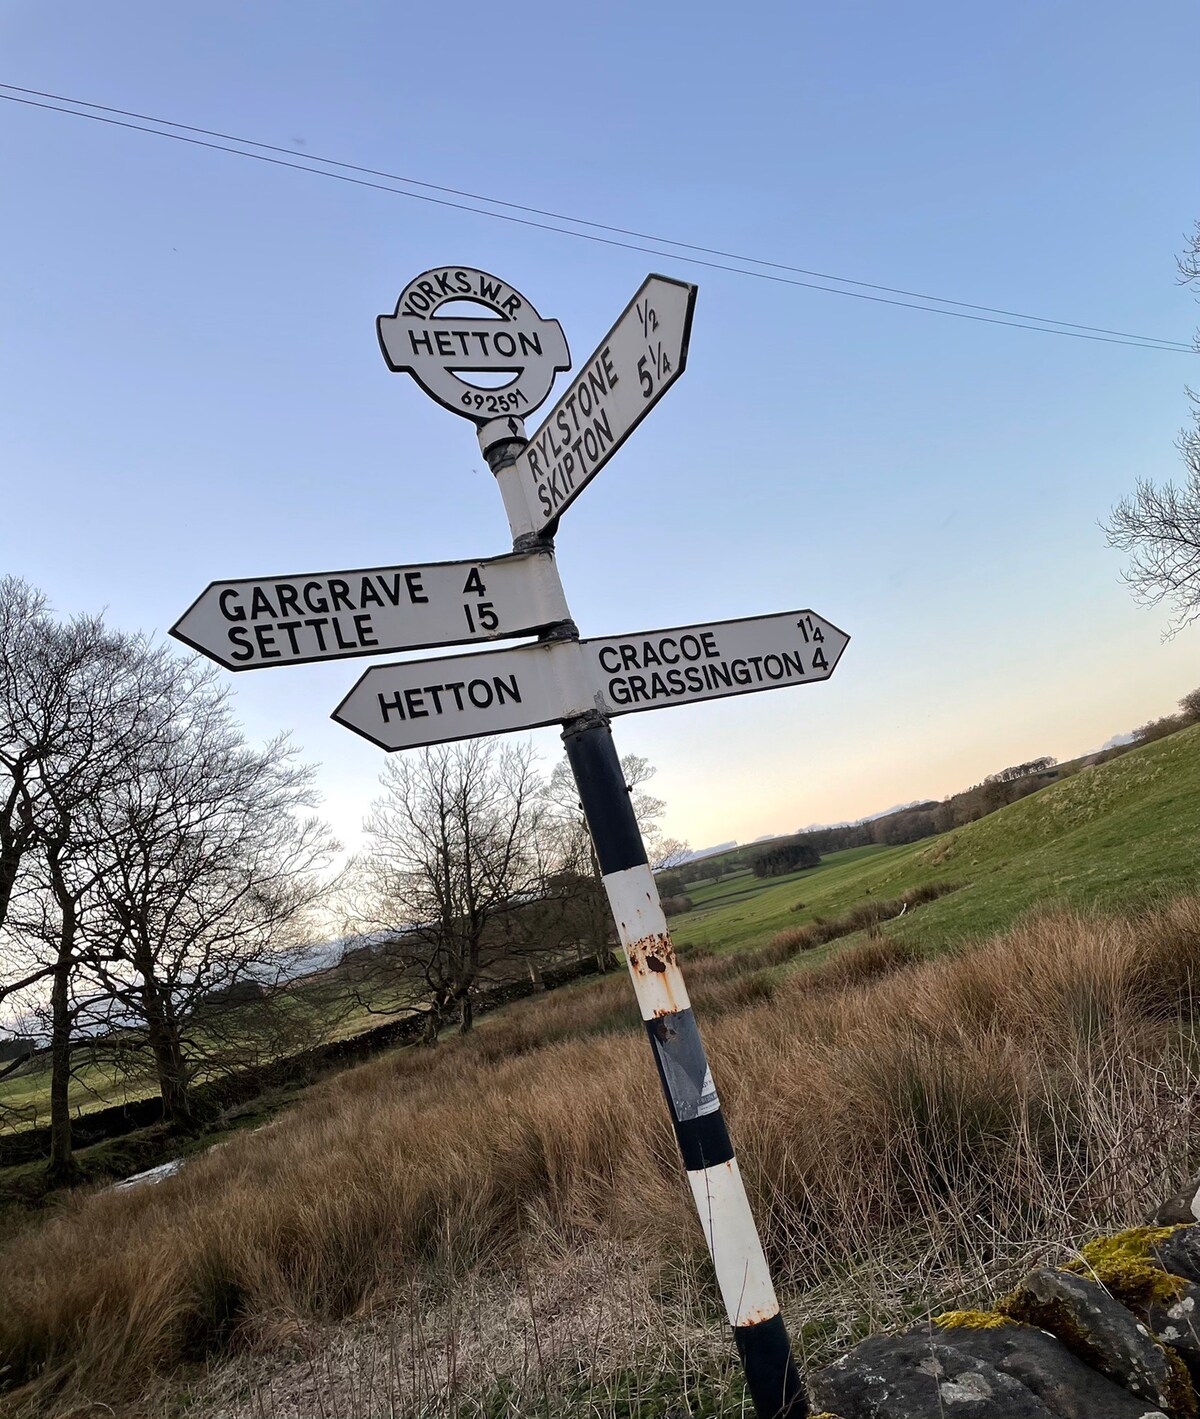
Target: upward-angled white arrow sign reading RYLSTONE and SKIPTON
{"points": [[632, 370]]}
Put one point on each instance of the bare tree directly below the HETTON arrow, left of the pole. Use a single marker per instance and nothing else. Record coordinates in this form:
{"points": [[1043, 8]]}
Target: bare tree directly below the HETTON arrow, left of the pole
{"points": [[448, 888]]}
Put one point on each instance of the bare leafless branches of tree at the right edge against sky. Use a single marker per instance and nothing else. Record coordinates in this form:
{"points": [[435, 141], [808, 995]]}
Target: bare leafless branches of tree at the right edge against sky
{"points": [[1160, 527]]}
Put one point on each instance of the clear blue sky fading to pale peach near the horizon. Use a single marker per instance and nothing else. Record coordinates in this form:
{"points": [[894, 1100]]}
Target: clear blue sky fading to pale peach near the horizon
{"points": [[194, 388]]}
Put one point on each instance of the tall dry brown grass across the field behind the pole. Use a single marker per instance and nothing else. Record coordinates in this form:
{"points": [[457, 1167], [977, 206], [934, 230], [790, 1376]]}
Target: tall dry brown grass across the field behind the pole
{"points": [[910, 1132]]}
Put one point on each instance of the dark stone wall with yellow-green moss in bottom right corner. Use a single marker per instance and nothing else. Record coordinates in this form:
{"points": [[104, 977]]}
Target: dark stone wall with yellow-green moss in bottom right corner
{"points": [[1114, 1335]]}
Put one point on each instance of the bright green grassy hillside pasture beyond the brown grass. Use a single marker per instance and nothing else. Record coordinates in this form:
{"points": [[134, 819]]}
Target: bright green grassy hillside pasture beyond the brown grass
{"points": [[1114, 837]]}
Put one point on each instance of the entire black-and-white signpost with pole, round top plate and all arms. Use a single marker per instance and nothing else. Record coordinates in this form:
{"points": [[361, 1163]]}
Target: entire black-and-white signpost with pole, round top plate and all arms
{"points": [[581, 685]]}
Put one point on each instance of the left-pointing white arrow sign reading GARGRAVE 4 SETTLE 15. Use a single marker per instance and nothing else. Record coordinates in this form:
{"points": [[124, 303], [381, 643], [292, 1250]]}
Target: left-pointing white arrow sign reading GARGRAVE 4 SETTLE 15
{"points": [[289, 621]]}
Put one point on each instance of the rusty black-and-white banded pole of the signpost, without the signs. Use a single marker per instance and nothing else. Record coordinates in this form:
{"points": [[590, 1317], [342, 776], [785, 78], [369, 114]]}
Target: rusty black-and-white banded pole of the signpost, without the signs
{"points": [[728, 1224]]}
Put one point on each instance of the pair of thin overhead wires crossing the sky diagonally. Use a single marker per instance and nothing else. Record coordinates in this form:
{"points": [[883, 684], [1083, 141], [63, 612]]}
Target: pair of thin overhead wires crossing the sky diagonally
{"points": [[303, 162]]}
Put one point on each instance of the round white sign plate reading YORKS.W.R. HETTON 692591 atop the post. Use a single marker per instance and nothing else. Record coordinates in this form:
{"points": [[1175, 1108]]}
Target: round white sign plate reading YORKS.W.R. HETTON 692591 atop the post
{"points": [[440, 350]]}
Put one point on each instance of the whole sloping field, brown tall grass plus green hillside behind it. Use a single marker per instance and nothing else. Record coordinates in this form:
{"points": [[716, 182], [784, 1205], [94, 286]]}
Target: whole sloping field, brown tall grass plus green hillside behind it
{"points": [[500, 1228]]}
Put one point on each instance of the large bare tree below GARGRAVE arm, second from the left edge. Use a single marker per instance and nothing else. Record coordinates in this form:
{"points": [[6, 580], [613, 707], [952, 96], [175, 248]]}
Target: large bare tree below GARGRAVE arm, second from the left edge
{"points": [[212, 865]]}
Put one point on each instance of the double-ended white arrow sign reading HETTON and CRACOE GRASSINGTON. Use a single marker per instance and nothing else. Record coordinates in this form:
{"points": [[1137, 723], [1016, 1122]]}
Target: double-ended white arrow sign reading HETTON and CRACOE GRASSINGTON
{"points": [[463, 697]]}
